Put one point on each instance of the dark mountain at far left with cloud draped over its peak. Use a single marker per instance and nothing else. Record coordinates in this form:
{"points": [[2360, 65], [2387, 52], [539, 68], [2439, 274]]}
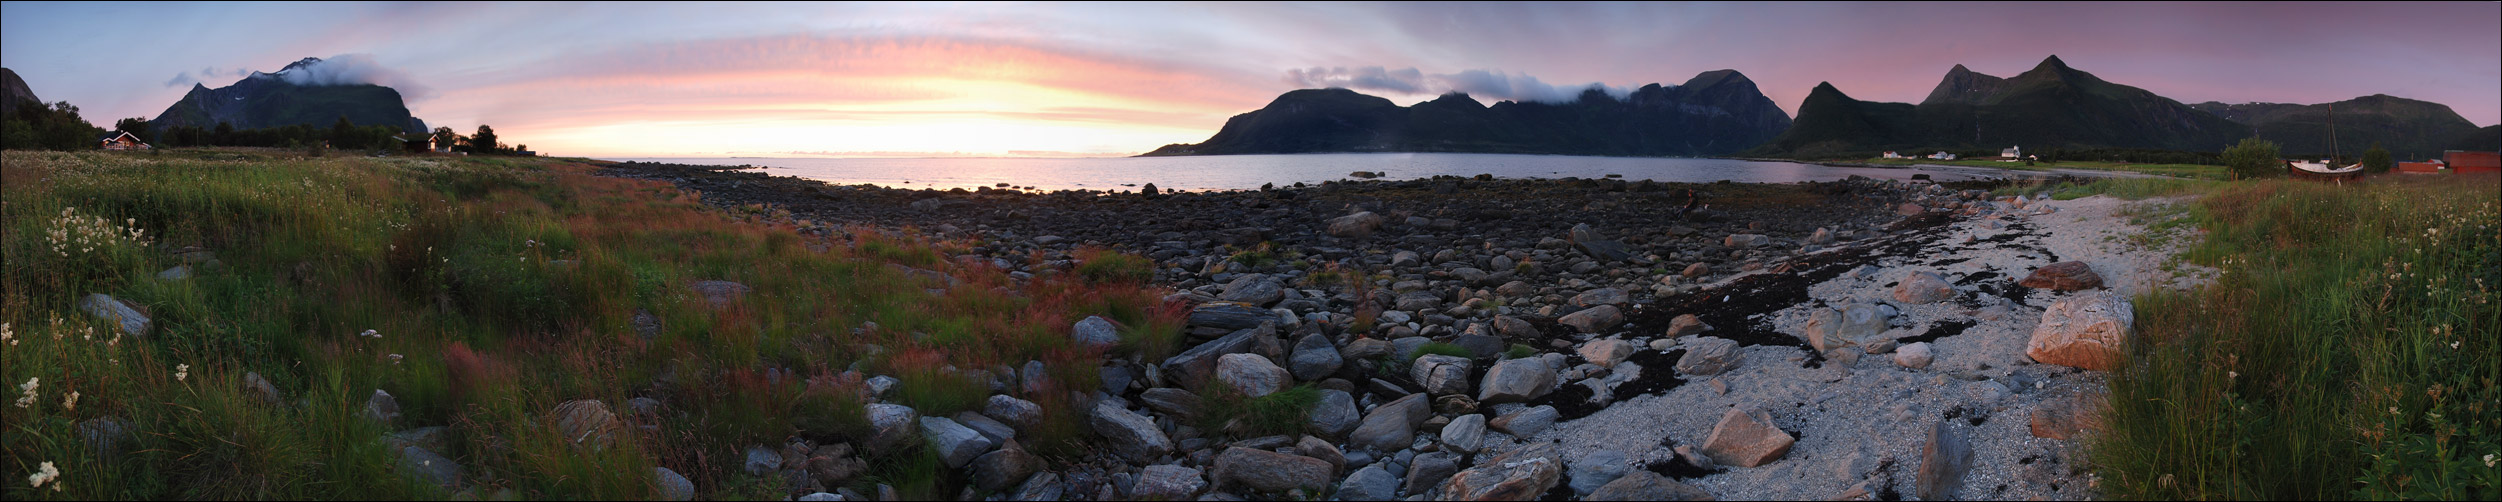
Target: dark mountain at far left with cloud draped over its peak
{"points": [[276, 101]]}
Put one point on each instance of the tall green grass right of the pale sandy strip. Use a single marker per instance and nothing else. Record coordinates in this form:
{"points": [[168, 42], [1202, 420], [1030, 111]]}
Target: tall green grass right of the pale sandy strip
{"points": [[2348, 351]]}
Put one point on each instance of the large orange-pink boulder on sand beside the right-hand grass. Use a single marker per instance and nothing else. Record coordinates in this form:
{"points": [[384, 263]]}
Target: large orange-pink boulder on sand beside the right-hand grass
{"points": [[2083, 331]]}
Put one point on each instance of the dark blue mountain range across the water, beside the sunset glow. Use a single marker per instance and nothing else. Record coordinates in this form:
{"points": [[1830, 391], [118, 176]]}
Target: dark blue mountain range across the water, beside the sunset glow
{"points": [[1713, 114]]}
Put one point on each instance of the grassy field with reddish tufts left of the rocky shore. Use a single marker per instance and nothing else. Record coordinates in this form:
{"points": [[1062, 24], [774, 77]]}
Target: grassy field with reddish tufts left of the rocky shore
{"points": [[482, 293]]}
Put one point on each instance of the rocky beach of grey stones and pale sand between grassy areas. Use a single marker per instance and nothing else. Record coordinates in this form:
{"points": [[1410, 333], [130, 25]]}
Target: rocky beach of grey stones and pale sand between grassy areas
{"points": [[1590, 338]]}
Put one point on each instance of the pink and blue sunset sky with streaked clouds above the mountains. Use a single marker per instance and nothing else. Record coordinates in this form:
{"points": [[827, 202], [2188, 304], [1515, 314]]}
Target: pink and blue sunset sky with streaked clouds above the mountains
{"points": [[1122, 79]]}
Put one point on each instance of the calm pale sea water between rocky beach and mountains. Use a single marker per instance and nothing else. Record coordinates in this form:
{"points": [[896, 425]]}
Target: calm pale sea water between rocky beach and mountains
{"points": [[1252, 171]]}
